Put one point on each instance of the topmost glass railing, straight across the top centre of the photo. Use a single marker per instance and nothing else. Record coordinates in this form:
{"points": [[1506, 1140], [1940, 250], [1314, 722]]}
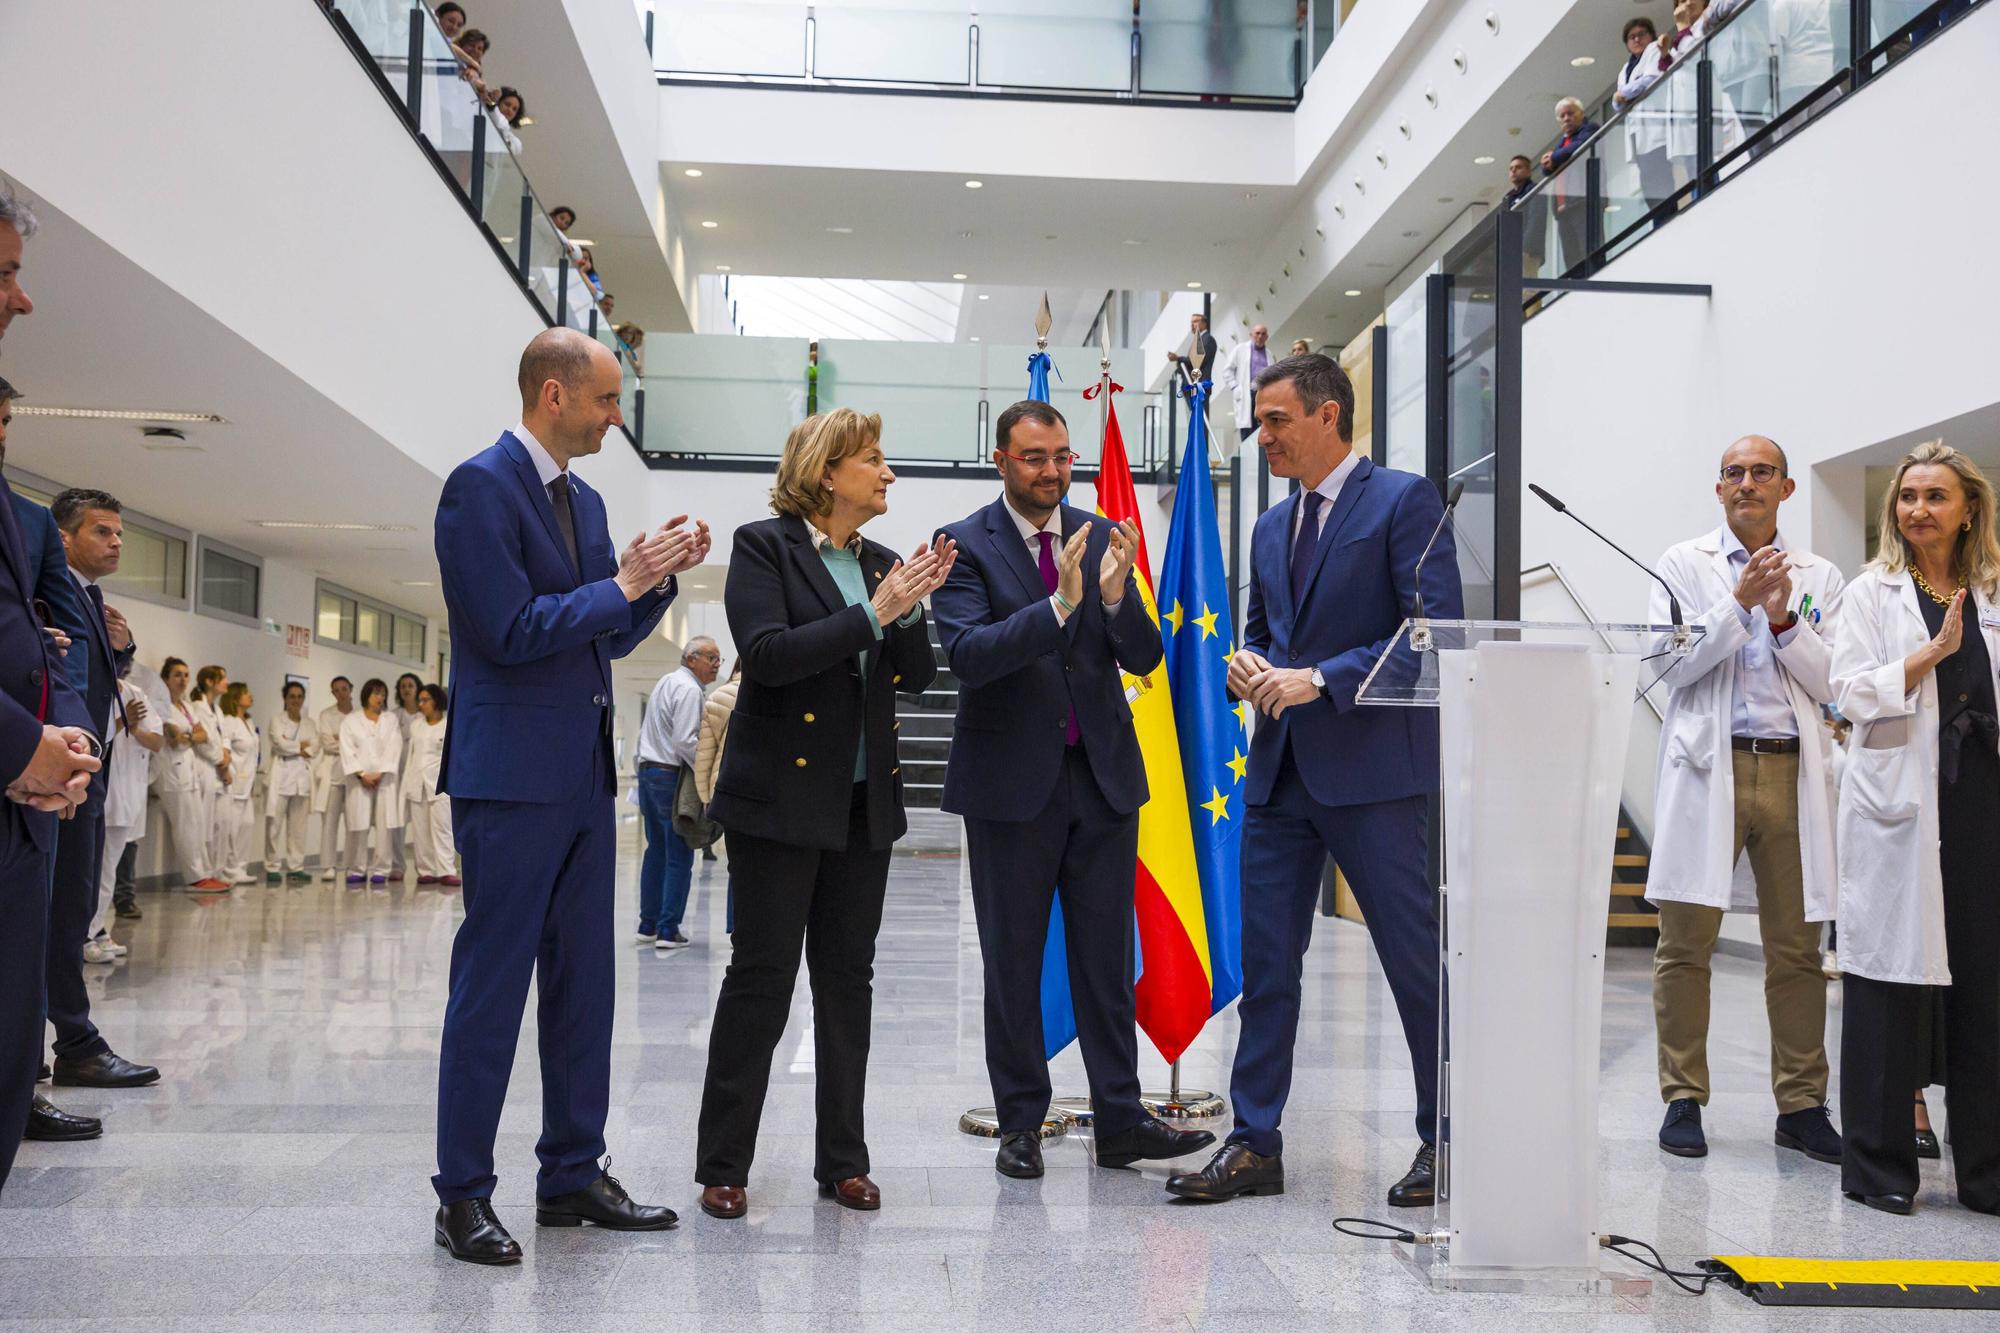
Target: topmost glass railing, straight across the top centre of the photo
{"points": [[1115, 49]]}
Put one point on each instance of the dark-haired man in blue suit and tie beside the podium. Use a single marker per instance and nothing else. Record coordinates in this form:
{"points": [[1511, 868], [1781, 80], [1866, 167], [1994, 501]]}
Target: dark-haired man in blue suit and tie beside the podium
{"points": [[1333, 575]]}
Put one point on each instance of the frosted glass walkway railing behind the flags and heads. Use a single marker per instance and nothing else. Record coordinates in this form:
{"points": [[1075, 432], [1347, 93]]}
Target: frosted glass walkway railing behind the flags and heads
{"points": [[713, 397]]}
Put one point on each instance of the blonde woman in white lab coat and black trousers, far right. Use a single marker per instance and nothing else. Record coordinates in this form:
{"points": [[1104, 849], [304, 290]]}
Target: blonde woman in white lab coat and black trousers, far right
{"points": [[1915, 659]]}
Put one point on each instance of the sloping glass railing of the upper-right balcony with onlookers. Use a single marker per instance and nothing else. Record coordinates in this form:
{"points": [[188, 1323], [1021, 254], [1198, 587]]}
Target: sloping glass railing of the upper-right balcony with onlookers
{"points": [[1761, 73]]}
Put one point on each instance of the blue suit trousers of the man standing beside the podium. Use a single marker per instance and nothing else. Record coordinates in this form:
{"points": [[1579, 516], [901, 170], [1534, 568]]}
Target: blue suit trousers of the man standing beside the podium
{"points": [[1383, 850]]}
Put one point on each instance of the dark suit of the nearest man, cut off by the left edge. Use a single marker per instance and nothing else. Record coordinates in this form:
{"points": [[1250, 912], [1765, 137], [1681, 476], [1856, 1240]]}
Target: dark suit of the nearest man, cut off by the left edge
{"points": [[33, 694]]}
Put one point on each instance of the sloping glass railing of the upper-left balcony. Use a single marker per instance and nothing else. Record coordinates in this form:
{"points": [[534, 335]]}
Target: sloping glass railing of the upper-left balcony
{"points": [[439, 99]]}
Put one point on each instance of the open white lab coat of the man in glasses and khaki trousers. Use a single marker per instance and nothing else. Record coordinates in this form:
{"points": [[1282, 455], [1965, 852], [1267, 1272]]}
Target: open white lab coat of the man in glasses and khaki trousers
{"points": [[1695, 804]]}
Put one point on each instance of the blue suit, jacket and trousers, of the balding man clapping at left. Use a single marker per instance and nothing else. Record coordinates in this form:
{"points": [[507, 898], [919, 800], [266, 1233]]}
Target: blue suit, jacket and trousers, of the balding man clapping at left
{"points": [[529, 768]]}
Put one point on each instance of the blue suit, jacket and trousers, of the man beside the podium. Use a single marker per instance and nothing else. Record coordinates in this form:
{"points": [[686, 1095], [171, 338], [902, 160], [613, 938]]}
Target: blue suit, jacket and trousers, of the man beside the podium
{"points": [[1343, 780]]}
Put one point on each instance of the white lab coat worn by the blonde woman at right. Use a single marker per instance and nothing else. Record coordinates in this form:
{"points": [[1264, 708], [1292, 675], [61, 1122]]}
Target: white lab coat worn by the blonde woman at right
{"points": [[1891, 886]]}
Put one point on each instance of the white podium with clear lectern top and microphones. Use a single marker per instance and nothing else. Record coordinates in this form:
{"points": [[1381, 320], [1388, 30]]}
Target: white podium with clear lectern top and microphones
{"points": [[1533, 726]]}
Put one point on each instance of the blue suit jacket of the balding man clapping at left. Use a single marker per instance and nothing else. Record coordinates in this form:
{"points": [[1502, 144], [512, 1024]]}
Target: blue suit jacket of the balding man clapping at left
{"points": [[533, 637]]}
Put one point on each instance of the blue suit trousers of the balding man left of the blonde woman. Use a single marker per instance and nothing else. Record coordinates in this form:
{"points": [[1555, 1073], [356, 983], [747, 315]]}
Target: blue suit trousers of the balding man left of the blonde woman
{"points": [[539, 904]]}
